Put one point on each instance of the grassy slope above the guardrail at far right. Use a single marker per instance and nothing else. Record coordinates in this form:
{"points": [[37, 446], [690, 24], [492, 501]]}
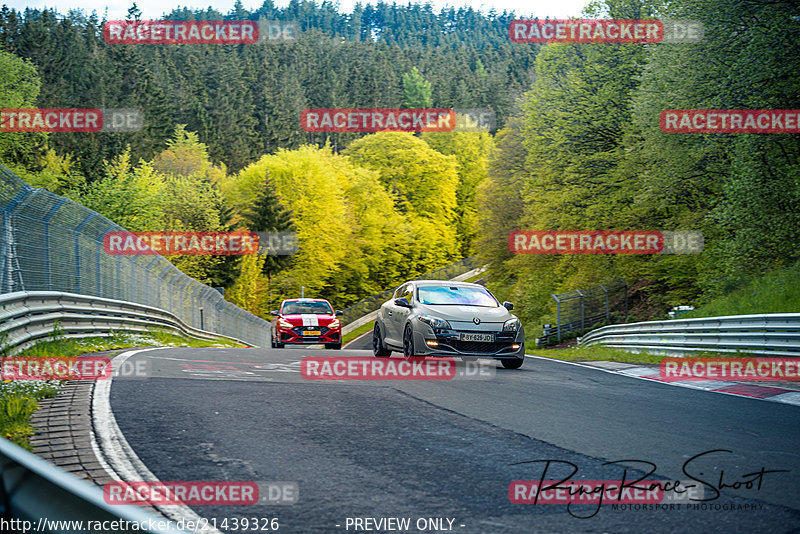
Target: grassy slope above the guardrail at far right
{"points": [[775, 292]]}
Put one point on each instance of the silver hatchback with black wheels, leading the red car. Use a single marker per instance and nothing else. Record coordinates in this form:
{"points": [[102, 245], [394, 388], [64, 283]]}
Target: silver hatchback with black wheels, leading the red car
{"points": [[444, 318]]}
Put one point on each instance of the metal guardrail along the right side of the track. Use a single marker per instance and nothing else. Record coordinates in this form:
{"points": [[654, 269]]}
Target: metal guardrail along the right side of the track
{"points": [[774, 334]]}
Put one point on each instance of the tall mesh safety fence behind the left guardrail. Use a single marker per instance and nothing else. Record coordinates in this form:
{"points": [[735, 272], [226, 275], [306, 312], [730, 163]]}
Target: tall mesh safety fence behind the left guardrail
{"points": [[50, 243]]}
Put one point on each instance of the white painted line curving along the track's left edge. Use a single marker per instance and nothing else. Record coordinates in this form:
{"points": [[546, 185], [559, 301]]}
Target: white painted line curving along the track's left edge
{"points": [[115, 453]]}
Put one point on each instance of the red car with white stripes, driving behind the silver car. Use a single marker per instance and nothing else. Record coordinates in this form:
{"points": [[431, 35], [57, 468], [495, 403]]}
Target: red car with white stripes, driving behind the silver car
{"points": [[306, 321]]}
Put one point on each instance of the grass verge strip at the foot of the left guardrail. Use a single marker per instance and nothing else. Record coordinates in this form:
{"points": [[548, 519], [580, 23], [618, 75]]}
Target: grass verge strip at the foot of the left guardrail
{"points": [[19, 399]]}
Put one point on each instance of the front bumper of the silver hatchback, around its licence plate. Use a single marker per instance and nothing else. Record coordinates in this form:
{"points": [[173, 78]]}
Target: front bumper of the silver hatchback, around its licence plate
{"points": [[507, 345]]}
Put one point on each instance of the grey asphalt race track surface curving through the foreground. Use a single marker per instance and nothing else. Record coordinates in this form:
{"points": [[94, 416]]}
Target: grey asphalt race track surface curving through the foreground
{"points": [[443, 453]]}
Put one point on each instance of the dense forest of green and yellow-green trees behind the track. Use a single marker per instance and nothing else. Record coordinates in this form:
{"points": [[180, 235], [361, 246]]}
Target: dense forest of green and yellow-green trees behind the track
{"points": [[578, 145]]}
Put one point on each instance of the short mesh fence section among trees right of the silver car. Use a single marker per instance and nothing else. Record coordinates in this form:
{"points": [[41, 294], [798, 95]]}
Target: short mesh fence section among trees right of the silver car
{"points": [[580, 309]]}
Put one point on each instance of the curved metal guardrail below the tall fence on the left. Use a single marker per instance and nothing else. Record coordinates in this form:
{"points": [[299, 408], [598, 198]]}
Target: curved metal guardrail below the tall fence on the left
{"points": [[28, 316]]}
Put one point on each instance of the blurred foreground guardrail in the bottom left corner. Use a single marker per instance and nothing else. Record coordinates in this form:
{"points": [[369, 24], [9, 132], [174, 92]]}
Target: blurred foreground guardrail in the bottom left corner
{"points": [[29, 485]]}
